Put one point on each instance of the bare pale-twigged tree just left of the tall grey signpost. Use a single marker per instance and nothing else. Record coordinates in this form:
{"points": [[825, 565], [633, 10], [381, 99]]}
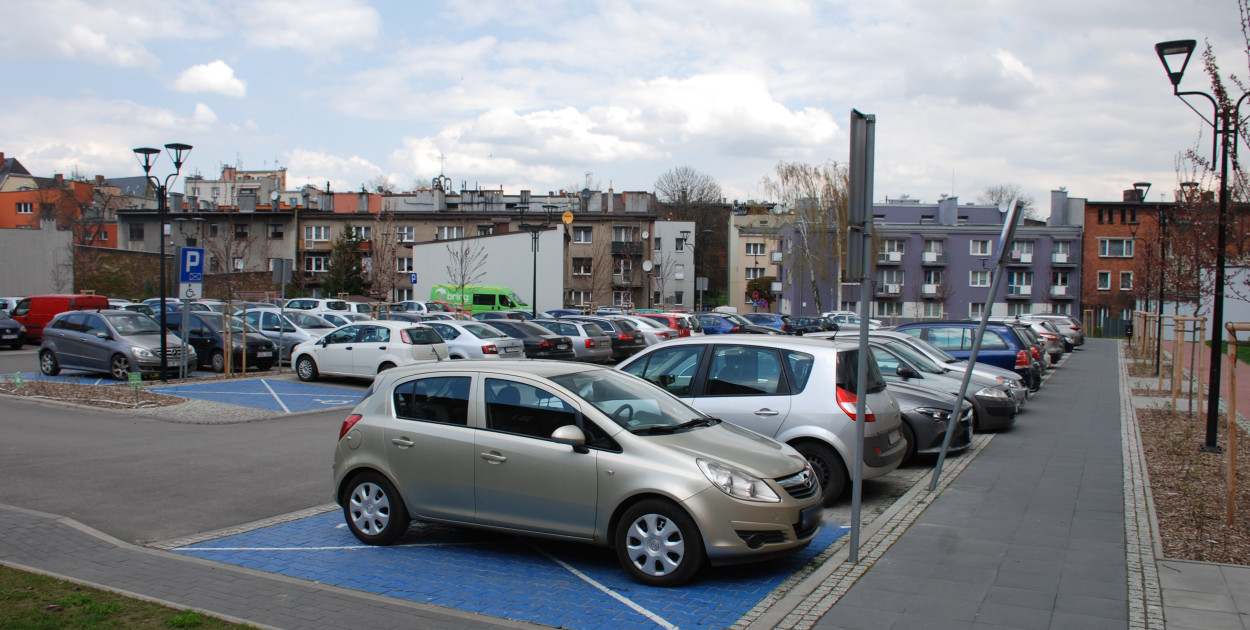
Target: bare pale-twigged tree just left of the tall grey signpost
{"points": [[816, 202]]}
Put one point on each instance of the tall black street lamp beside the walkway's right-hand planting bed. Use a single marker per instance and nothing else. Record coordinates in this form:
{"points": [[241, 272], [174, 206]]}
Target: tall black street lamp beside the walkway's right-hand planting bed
{"points": [[1227, 126]]}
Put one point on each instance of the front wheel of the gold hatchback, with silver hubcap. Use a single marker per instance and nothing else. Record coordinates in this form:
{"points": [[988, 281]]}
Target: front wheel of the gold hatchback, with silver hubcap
{"points": [[659, 544]]}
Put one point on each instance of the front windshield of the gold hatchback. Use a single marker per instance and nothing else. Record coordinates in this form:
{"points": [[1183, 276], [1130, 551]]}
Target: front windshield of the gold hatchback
{"points": [[633, 403]]}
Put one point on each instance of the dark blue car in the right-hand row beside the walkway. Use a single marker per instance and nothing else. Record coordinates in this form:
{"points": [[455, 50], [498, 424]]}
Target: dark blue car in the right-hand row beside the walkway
{"points": [[1001, 347]]}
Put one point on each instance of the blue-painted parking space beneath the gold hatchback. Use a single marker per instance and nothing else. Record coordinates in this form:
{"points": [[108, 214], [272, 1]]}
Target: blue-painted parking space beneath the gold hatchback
{"points": [[558, 584]]}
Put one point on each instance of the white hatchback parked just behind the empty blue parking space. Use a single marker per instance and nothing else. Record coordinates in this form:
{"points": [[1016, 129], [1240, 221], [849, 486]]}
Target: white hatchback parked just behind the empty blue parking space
{"points": [[368, 348]]}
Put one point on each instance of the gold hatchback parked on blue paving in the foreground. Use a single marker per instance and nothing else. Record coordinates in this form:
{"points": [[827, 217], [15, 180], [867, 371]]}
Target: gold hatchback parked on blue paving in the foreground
{"points": [[571, 452]]}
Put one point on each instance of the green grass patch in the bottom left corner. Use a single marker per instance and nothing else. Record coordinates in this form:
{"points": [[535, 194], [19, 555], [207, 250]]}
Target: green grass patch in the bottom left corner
{"points": [[33, 602]]}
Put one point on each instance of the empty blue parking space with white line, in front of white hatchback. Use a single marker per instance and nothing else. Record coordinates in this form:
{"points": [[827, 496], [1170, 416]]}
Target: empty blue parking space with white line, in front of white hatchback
{"points": [[273, 396]]}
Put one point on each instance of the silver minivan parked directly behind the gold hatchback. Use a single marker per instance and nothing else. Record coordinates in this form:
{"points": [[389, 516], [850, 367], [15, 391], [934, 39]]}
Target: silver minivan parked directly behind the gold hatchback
{"points": [[796, 391]]}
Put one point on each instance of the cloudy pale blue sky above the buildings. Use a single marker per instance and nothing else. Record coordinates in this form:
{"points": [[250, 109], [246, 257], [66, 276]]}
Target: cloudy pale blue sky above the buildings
{"points": [[552, 96]]}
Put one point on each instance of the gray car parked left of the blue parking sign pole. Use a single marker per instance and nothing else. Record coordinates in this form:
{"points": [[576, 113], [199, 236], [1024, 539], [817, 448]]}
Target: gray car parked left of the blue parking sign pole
{"points": [[116, 342]]}
